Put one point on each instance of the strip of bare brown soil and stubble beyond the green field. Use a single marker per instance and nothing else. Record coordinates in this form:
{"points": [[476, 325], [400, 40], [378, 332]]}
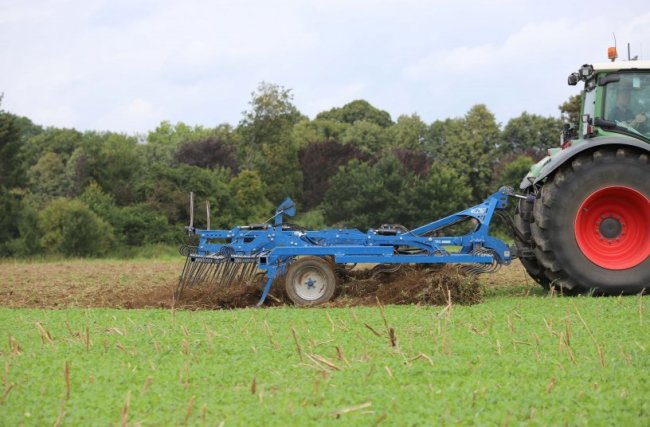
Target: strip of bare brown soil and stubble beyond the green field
{"points": [[151, 284]]}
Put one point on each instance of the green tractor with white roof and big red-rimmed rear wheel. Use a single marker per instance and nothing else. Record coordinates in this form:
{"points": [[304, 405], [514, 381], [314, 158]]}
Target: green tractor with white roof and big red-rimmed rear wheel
{"points": [[585, 225]]}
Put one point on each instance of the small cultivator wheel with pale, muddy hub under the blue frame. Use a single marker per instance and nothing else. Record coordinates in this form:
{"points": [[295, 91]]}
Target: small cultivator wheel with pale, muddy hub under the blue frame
{"points": [[310, 281]]}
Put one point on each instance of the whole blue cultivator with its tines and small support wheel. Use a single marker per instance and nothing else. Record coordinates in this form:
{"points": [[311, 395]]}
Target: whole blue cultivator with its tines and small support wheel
{"points": [[307, 259]]}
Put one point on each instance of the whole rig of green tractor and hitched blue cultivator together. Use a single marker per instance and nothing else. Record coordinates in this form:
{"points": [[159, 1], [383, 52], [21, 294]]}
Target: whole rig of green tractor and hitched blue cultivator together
{"points": [[582, 223]]}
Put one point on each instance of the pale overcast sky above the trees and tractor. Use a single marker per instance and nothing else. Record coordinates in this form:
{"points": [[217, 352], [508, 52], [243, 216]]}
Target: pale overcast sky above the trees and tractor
{"points": [[126, 65]]}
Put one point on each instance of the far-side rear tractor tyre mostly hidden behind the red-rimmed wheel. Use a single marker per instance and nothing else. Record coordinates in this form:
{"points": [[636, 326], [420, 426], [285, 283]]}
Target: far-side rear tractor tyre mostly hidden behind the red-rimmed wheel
{"points": [[524, 242]]}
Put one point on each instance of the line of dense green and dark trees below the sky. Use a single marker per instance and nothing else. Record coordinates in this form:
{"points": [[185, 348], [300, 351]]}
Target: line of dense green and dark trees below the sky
{"points": [[75, 193]]}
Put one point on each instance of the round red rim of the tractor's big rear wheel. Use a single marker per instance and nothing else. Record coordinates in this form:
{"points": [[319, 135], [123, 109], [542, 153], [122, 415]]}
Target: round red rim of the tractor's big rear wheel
{"points": [[612, 228]]}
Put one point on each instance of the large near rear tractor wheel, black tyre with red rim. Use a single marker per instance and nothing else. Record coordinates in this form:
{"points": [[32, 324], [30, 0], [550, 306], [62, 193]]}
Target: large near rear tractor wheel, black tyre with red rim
{"points": [[591, 225]]}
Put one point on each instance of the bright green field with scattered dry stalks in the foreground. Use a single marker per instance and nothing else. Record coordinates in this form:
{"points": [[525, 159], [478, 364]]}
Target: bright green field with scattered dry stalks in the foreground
{"points": [[513, 359]]}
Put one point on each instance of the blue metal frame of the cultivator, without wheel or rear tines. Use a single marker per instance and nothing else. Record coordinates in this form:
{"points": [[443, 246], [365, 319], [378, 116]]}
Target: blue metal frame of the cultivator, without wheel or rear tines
{"points": [[274, 246]]}
